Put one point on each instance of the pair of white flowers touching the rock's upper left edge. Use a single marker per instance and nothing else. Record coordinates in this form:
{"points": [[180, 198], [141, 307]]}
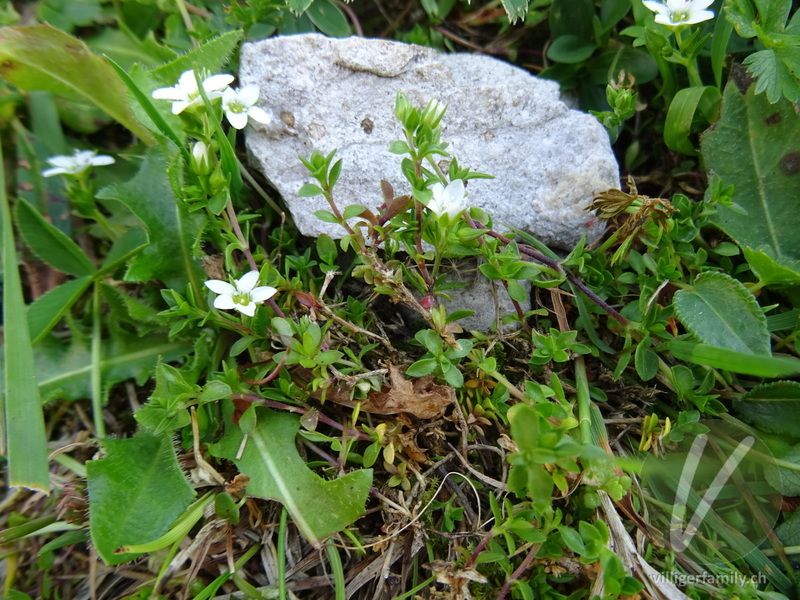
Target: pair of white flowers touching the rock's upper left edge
{"points": [[238, 105]]}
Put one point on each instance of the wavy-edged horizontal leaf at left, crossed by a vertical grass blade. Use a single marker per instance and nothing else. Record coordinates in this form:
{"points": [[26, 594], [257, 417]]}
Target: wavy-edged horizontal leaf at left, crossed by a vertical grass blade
{"points": [[63, 371]]}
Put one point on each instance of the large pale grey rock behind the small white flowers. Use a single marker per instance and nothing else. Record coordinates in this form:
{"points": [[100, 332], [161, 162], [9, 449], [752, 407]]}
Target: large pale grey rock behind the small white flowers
{"points": [[325, 94]]}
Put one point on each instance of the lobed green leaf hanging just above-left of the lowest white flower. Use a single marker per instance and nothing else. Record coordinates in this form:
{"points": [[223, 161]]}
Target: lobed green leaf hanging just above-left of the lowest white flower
{"points": [[171, 228]]}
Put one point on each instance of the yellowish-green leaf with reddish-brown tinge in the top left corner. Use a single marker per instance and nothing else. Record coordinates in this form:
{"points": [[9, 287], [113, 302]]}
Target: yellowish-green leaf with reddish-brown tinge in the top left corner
{"points": [[43, 58]]}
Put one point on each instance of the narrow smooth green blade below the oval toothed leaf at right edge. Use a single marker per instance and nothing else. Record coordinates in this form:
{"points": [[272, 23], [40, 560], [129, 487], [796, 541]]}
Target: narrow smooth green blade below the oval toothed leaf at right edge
{"points": [[738, 362]]}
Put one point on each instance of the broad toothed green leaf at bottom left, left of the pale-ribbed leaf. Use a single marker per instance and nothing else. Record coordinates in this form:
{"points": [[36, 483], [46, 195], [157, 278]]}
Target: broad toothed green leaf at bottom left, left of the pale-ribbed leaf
{"points": [[135, 493]]}
